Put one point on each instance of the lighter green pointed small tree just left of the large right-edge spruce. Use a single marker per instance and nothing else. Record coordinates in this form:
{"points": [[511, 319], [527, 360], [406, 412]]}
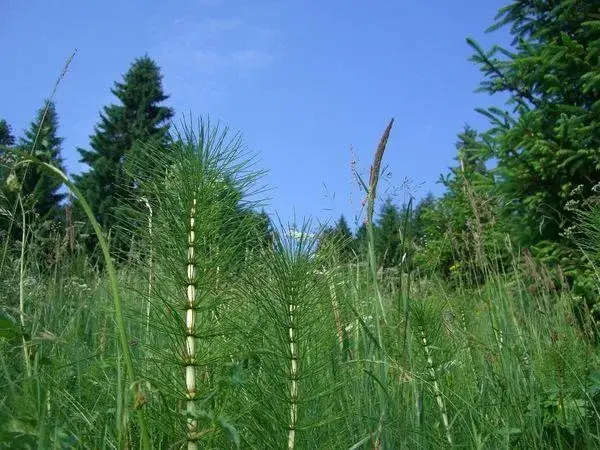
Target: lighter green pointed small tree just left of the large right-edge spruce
{"points": [[460, 234]]}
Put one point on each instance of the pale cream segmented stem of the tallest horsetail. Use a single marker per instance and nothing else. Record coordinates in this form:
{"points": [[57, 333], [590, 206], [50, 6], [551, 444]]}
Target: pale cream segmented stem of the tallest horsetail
{"points": [[190, 338]]}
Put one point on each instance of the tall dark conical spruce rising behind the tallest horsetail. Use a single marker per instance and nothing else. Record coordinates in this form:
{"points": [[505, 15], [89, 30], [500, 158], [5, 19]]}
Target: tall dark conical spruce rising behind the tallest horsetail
{"points": [[137, 119]]}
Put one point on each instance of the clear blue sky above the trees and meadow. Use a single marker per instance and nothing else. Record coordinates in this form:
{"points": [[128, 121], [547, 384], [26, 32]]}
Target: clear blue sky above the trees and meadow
{"points": [[311, 85]]}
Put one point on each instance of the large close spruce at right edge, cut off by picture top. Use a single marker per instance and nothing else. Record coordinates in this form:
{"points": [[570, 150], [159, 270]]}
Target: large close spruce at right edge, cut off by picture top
{"points": [[546, 146]]}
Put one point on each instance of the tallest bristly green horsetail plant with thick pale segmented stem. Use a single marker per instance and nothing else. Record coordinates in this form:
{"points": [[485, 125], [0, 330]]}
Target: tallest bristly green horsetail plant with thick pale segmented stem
{"points": [[197, 190]]}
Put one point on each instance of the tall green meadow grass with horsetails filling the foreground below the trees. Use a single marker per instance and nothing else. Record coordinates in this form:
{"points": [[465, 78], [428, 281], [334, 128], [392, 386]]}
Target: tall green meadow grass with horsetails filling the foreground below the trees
{"points": [[280, 345]]}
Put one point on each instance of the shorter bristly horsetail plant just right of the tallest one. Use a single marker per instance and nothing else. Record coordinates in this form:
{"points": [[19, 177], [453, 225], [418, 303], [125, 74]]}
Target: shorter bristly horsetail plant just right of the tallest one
{"points": [[288, 316]]}
